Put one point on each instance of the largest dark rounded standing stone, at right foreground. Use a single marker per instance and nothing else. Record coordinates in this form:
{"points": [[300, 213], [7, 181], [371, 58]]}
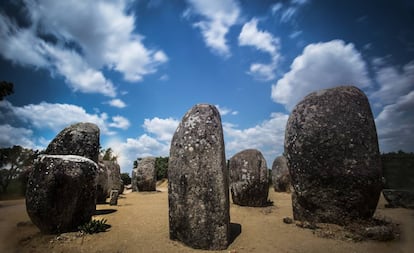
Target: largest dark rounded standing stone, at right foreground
{"points": [[331, 148]]}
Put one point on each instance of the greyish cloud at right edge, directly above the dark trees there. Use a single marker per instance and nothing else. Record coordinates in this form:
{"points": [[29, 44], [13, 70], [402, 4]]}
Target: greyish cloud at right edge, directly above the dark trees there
{"points": [[395, 125]]}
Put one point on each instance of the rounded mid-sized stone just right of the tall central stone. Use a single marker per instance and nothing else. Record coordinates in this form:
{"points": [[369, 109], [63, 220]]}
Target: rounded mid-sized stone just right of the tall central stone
{"points": [[249, 182]]}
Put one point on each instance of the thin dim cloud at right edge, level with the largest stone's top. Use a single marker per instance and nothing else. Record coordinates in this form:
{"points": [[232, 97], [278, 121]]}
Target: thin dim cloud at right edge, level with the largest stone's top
{"points": [[393, 83]]}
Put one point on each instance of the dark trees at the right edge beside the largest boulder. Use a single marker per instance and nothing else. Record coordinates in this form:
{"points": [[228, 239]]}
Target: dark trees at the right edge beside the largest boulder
{"points": [[398, 170]]}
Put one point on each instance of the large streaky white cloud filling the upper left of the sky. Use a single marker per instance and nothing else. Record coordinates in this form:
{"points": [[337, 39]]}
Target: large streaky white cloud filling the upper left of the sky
{"points": [[101, 35]]}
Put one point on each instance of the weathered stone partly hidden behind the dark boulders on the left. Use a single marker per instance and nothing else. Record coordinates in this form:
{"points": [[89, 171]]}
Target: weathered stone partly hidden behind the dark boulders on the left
{"points": [[109, 178]]}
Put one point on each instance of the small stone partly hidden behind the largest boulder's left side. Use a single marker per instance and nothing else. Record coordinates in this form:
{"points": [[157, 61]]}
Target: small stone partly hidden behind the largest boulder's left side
{"points": [[280, 175]]}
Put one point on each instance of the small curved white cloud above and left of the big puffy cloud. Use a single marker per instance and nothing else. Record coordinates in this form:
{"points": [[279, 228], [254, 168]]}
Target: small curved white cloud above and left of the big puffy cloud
{"points": [[262, 41]]}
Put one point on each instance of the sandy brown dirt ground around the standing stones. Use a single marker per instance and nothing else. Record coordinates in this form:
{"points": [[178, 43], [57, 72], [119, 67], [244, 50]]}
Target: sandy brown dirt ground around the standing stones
{"points": [[139, 223]]}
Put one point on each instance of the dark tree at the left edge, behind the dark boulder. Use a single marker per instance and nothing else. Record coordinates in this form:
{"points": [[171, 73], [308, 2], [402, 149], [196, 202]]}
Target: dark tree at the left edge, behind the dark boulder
{"points": [[13, 161]]}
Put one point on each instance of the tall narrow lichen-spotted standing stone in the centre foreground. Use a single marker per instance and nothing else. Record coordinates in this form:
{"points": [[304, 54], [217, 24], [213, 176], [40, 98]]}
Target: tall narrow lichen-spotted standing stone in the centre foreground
{"points": [[198, 189]]}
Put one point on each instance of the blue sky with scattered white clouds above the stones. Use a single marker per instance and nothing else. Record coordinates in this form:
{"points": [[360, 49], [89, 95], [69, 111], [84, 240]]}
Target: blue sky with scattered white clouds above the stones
{"points": [[135, 67]]}
